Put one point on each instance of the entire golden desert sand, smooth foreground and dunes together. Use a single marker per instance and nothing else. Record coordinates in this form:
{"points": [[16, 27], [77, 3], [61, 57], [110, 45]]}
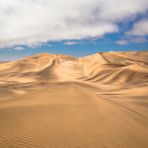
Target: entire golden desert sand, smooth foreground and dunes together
{"points": [[59, 101]]}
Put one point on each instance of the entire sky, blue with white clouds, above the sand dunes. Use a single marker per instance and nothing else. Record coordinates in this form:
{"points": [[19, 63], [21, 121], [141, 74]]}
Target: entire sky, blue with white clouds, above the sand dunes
{"points": [[76, 28]]}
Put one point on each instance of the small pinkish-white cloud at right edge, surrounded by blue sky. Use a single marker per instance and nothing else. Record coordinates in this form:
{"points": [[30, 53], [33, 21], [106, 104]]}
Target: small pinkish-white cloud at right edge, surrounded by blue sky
{"points": [[140, 28]]}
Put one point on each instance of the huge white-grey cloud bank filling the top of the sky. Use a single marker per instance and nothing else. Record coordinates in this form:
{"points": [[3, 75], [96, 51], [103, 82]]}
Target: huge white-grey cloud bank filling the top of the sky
{"points": [[32, 22]]}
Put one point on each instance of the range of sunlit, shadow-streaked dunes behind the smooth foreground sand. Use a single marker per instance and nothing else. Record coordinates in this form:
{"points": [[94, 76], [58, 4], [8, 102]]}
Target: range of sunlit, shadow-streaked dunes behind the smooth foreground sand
{"points": [[110, 67]]}
